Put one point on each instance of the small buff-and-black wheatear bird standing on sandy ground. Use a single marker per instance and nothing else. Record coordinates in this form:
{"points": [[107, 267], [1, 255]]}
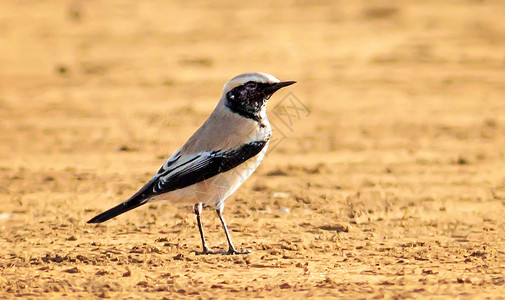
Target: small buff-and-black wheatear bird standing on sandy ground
{"points": [[219, 156]]}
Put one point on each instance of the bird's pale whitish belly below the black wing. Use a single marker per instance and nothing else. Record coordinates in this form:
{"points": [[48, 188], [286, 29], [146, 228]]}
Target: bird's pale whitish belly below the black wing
{"points": [[213, 191]]}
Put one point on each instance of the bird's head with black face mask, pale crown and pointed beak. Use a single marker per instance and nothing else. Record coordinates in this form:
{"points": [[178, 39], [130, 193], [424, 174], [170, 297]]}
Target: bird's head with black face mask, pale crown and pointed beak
{"points": [[247, 94]]}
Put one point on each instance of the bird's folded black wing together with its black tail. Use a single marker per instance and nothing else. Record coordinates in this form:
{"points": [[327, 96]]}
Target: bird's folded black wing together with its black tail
{"points": [[180, 171]]}
